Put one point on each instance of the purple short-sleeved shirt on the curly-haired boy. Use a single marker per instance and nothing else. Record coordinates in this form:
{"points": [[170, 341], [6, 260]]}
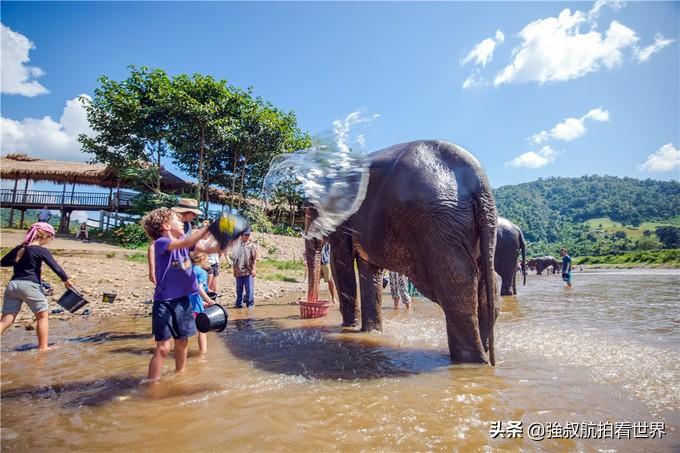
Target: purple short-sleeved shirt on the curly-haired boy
{"points": [[174, 274]]}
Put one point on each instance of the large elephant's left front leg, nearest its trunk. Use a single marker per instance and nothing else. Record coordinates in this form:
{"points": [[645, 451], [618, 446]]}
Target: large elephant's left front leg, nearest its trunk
{"points": [[342, 266]]}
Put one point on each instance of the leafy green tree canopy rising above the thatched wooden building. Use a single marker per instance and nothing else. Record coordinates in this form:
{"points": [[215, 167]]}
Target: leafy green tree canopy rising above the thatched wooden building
{"points": [[221, 134]]}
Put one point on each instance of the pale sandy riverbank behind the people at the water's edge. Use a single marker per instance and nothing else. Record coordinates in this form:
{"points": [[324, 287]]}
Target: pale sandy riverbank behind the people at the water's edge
{"points": [[97, 268]]}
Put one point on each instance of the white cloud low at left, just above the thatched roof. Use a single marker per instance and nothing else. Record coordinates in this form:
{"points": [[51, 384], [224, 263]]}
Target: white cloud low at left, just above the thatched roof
{"points": [[45, 137]]}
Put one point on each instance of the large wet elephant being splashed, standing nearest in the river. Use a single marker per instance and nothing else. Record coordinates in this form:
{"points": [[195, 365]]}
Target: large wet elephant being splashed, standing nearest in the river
{"points": [[428, 213]]}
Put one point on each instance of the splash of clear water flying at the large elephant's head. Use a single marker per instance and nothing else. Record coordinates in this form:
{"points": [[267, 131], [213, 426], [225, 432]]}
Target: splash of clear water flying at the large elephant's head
{"points": [[331, 180]]}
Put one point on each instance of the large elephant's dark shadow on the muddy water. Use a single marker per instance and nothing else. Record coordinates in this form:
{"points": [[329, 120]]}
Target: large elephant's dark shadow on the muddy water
{"points": [[320, 352]]}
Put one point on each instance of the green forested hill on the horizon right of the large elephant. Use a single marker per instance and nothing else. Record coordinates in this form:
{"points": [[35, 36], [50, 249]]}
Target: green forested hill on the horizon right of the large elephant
{"points": [[549, 209]]}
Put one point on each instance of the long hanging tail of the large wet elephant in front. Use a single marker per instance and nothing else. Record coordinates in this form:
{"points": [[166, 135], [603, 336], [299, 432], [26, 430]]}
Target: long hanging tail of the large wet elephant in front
{"points": [[487, 220]]}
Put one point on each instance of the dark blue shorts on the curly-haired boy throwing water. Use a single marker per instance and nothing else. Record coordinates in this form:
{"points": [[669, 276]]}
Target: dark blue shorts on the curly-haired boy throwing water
{"points": [[173, 318]]}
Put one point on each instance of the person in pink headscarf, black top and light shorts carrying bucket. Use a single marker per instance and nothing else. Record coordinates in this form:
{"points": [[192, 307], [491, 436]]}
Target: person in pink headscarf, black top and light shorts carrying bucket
{"points": [[25, 285]]}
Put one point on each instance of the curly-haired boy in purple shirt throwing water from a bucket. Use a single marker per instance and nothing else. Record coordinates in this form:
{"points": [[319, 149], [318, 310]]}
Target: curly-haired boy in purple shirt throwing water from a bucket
{"points": [[172, 315]]}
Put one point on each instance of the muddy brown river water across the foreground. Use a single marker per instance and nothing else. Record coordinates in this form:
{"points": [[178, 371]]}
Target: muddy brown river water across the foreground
{"points": [[606, 352]]}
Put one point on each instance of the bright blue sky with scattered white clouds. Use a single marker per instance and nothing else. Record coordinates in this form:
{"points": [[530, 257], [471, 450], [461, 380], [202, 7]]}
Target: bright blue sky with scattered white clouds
{"points": [[532, 89]]}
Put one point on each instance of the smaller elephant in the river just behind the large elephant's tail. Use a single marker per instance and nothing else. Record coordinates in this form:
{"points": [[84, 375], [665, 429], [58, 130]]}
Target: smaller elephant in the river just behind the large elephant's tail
{"points": [[509, 243]]}
